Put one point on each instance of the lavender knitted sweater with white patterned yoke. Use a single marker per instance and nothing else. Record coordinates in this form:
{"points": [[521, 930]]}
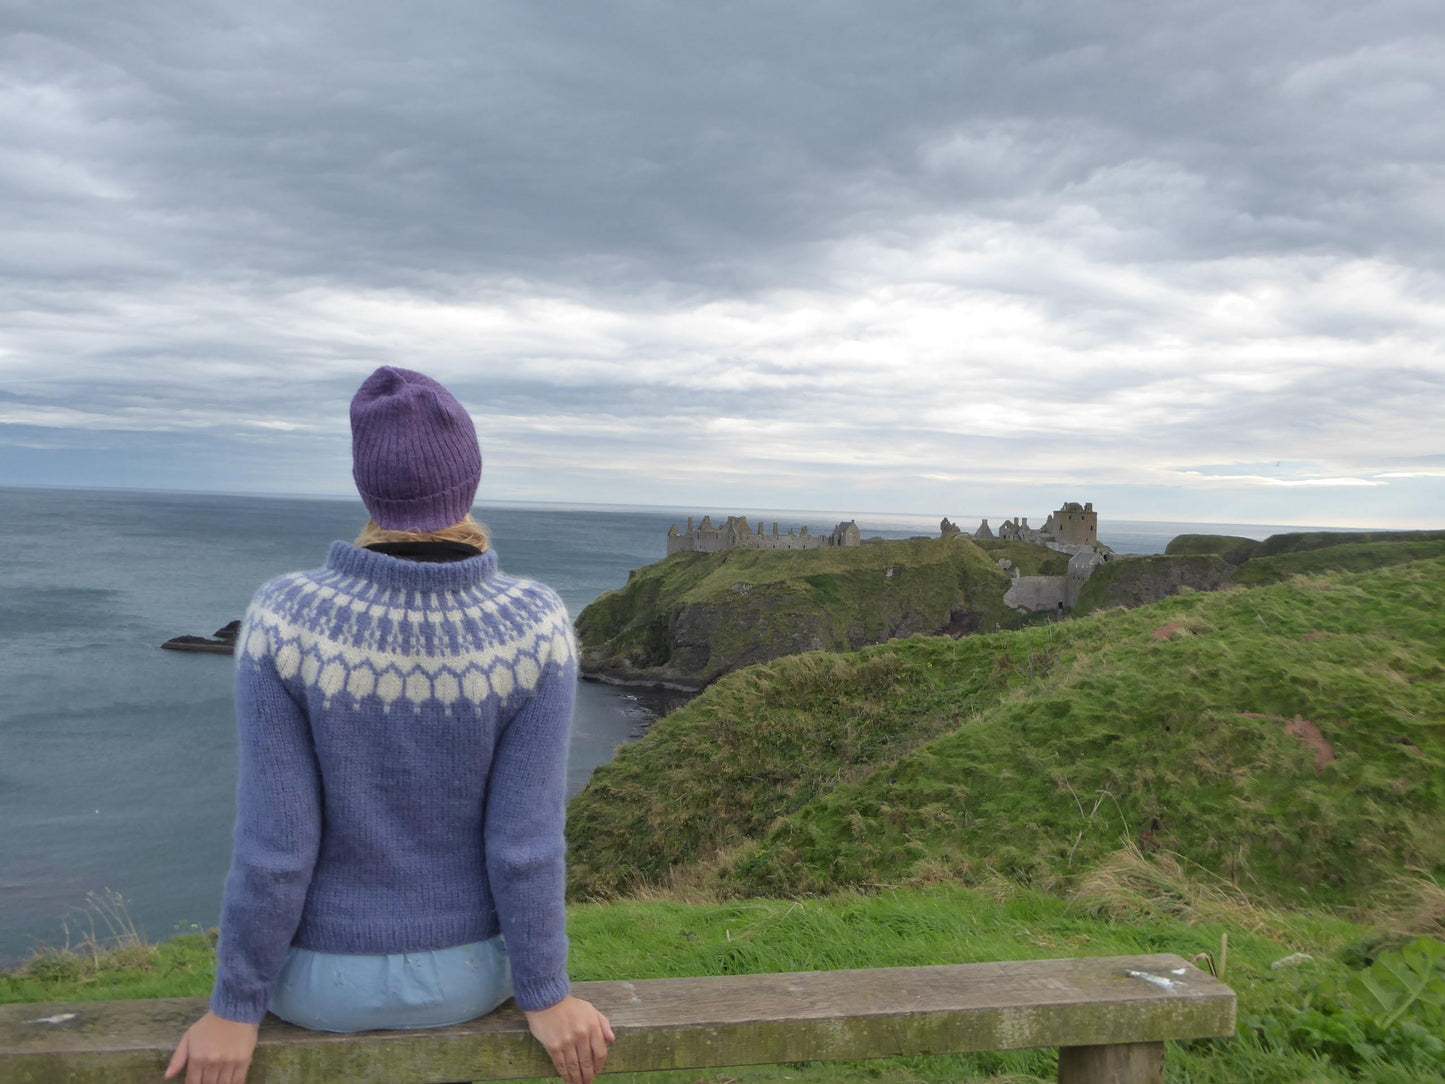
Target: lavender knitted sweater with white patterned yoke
{"points": [[404, 735]]}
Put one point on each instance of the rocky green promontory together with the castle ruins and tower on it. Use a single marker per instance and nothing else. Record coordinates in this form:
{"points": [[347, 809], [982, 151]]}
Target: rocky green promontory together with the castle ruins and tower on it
{"points": [[729, 596]]}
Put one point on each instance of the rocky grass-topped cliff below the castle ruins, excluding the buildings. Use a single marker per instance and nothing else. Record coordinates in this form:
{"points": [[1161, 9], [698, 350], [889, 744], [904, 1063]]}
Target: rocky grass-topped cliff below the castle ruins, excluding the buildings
{"points": [[693, 618]]}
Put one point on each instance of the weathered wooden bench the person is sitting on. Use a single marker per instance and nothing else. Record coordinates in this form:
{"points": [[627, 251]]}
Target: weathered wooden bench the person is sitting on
{"points": [[1110, 1017]]}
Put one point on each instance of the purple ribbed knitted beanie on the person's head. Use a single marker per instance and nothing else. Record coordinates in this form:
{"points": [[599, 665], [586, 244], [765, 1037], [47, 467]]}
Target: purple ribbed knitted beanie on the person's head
{"points": [[414, 452]]}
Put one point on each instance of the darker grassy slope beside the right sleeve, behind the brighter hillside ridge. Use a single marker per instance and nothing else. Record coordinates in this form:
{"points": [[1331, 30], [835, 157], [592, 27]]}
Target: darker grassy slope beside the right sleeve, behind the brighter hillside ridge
{"points": [[765, 742]]}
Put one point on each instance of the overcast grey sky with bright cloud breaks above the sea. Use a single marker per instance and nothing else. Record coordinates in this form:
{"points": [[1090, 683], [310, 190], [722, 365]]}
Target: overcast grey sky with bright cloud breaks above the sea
{"points": [[1186, 261]]}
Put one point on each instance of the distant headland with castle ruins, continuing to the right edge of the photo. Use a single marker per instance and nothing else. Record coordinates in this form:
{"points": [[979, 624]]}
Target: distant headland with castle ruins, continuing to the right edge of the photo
{"points": [[729, 596]]}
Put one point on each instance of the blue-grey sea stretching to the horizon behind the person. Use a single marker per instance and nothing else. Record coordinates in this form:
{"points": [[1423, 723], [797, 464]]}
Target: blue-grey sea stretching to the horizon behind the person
{"points": [[118, 760]]}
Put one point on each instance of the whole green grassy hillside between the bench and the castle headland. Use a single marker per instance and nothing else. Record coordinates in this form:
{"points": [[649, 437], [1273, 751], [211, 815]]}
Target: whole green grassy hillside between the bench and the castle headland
{"points": [[1288, 739]]}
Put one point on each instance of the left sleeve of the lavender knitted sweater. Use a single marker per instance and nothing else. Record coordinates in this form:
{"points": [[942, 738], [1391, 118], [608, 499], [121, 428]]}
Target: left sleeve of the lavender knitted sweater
{"points": [[278, 833]]}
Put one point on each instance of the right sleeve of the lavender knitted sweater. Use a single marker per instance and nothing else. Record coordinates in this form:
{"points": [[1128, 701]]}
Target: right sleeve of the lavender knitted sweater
{"points": [[525, 825]]}
